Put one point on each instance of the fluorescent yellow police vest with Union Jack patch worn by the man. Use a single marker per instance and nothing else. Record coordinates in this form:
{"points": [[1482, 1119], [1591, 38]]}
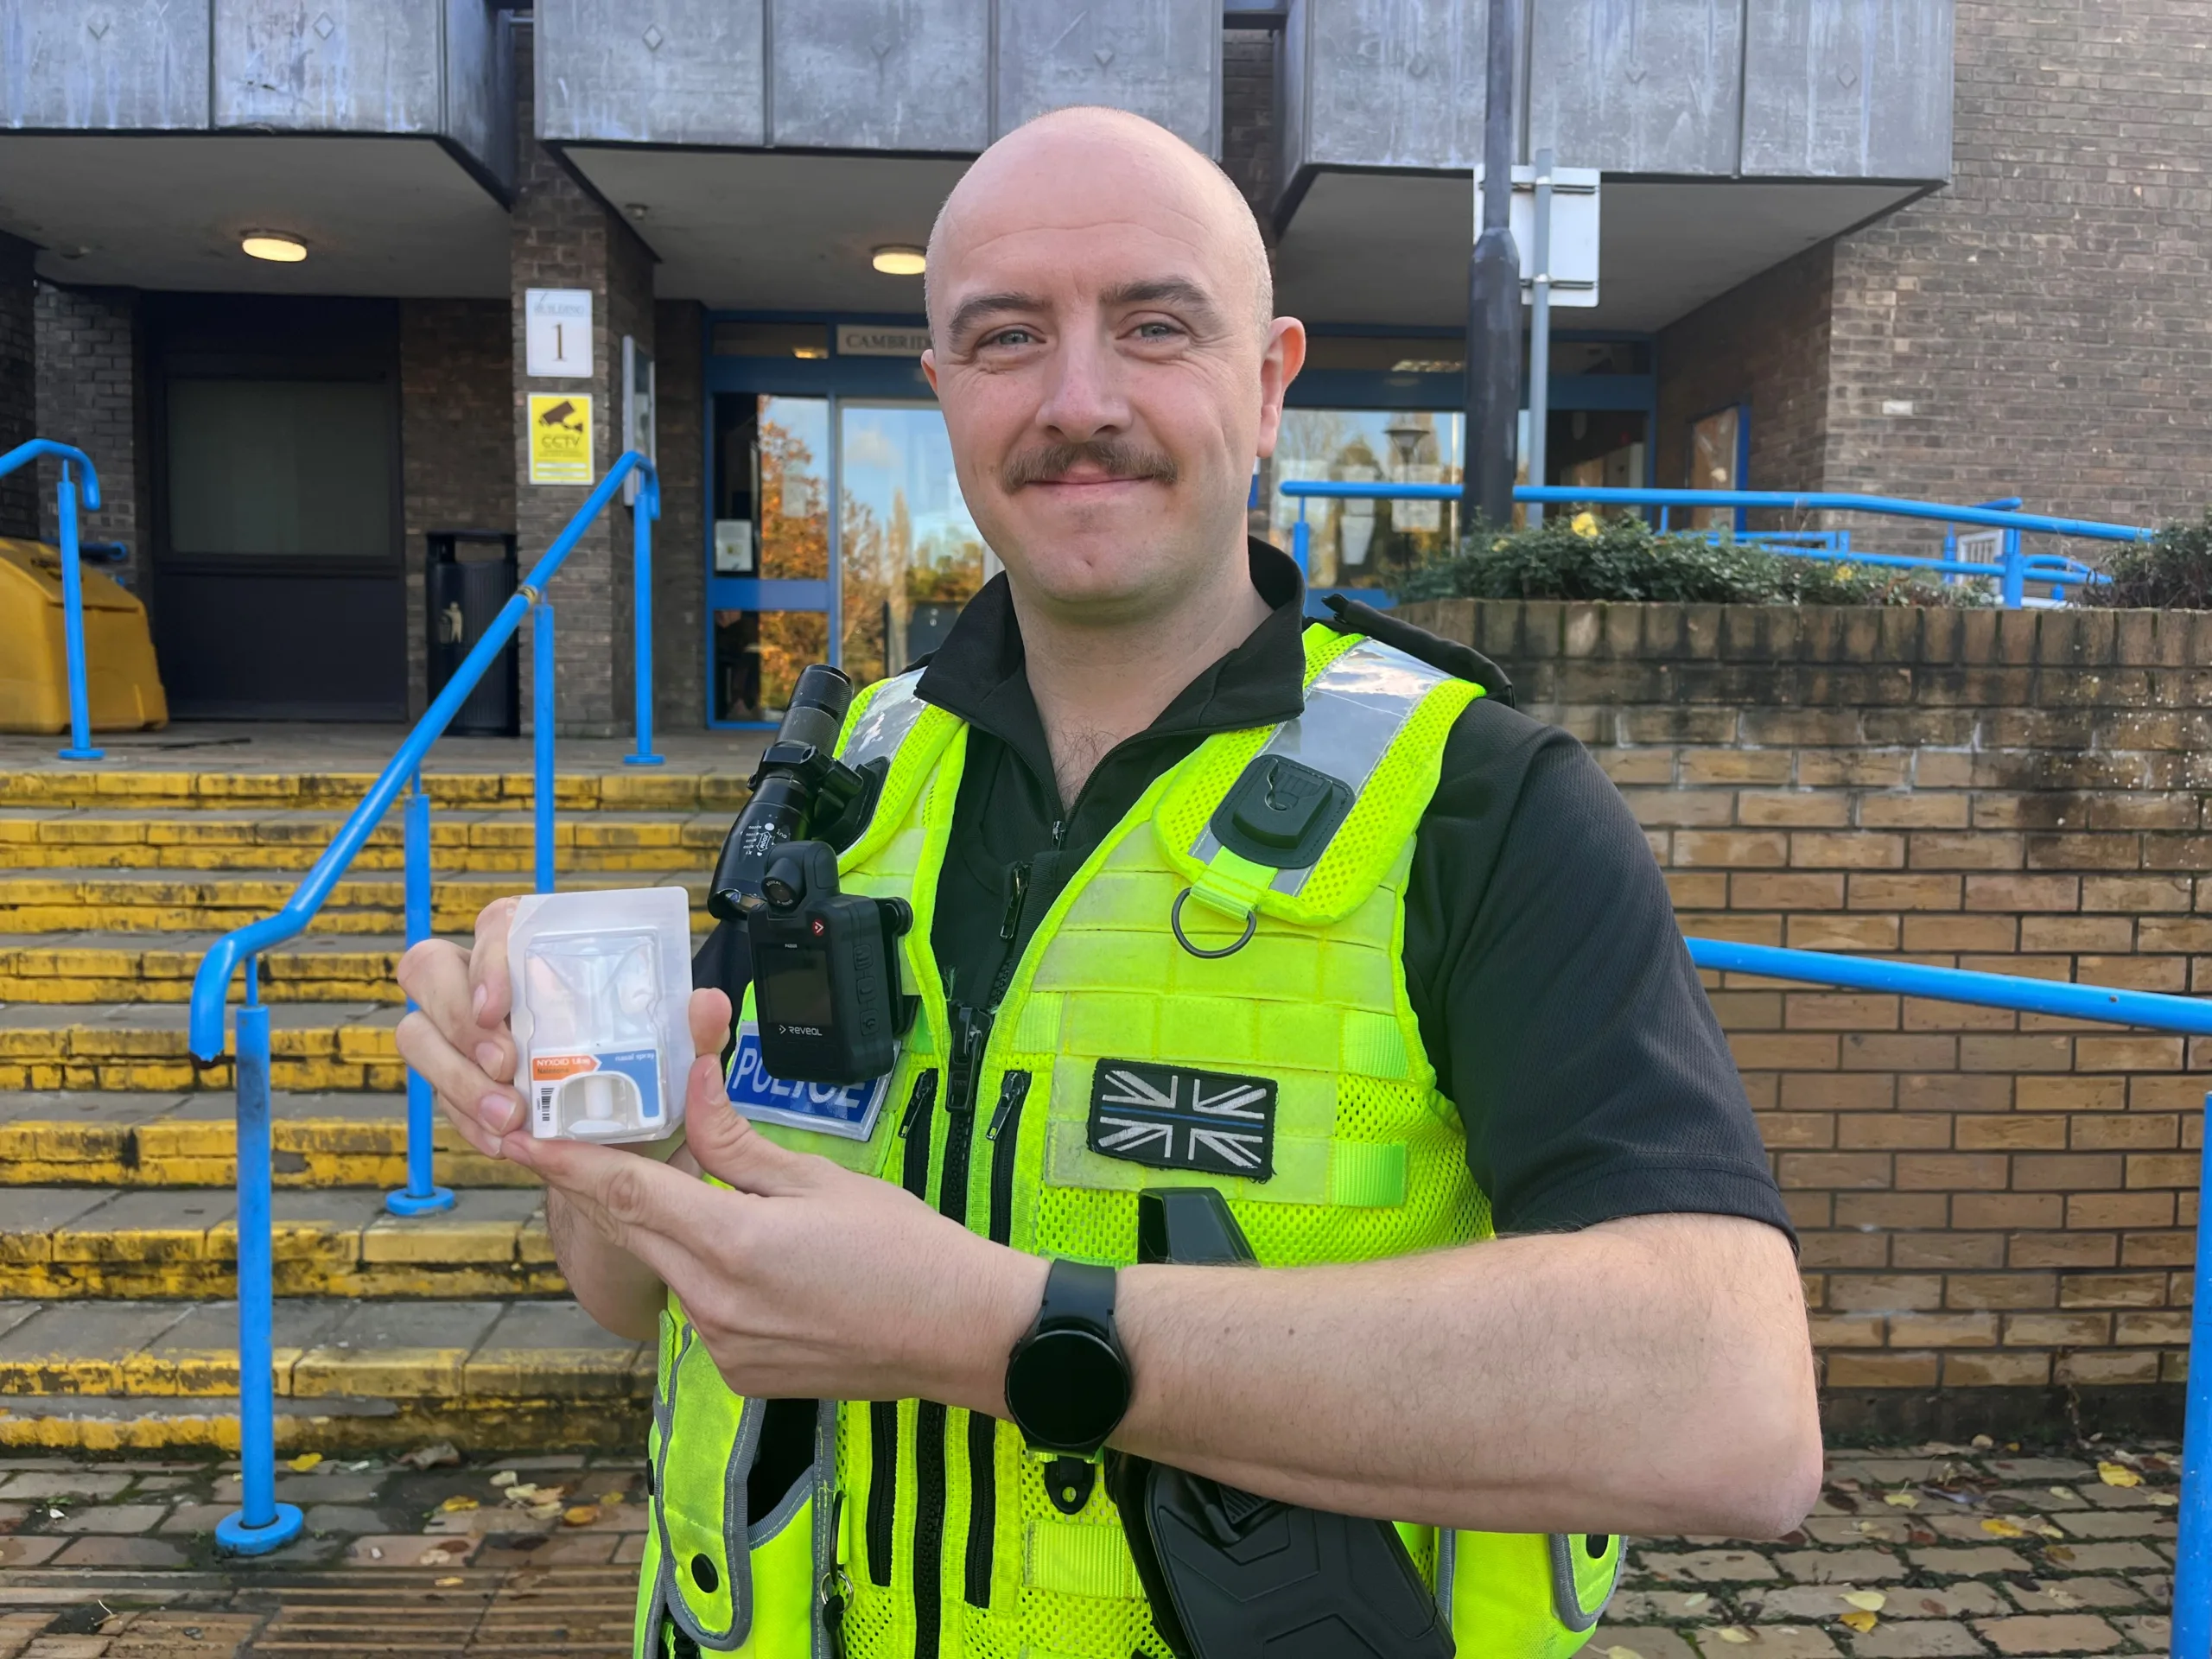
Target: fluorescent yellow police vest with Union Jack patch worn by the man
{"points": [[926, 1530]]}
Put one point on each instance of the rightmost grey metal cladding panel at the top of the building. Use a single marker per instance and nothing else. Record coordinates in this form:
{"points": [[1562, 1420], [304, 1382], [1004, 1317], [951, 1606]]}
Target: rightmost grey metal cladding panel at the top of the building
{"points": [[1848, 90]]}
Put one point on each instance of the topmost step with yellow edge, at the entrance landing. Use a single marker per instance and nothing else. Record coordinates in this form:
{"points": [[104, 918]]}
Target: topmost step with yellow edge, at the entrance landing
{"points": [[313, 791]]}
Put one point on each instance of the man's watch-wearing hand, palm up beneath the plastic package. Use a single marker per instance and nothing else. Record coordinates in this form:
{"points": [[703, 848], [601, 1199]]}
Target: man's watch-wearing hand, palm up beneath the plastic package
{"points": [[806, 1280]]}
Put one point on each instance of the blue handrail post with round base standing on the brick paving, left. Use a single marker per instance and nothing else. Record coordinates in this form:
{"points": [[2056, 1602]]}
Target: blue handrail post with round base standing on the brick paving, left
{"points": [[260, 1523]]}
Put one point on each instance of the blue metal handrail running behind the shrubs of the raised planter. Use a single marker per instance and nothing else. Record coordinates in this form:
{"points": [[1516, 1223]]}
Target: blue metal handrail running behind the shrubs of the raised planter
{"points": [[2014, 572]]}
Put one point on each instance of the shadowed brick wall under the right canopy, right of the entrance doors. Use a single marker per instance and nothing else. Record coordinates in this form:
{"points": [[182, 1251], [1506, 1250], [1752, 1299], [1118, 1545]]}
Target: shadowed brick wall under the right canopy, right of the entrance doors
{"points": [[1764, 344]]}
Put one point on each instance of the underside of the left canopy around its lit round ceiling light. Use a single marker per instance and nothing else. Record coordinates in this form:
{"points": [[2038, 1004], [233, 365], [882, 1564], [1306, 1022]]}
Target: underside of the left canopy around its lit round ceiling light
{"points": [[382, 216]]}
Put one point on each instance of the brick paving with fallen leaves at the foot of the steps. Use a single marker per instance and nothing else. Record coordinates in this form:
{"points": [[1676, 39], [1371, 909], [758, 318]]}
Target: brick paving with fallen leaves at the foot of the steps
{"points": [[1912, 1554]]}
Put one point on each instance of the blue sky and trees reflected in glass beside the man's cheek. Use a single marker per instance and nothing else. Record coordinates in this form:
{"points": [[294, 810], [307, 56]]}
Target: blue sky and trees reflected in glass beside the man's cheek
{"points": [[908, 552]]}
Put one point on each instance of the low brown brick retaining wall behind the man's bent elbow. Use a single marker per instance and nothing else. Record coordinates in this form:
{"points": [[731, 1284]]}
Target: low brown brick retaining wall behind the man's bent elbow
{"points": [[1990, 1202]]}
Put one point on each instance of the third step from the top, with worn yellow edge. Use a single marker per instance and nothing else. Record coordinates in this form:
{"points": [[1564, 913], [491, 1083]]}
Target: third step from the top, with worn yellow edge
{"points": [[123, 901]]}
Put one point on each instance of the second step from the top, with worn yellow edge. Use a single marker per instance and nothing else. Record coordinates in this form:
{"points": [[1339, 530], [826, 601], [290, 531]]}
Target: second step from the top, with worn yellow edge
{"points": [[463, 842]]}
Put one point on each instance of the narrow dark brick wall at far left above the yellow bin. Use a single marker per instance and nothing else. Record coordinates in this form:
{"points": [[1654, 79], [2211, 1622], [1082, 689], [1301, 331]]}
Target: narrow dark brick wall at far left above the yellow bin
{"points": [[90, 397]]}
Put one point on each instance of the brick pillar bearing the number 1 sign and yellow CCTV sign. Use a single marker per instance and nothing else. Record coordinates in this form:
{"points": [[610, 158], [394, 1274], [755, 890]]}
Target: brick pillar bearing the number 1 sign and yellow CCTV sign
{"points": [[567, 238]]}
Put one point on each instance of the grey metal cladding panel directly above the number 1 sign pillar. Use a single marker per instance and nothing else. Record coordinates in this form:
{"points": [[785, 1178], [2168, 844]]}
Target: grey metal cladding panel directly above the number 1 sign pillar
{"points": [[651, 72]]}
